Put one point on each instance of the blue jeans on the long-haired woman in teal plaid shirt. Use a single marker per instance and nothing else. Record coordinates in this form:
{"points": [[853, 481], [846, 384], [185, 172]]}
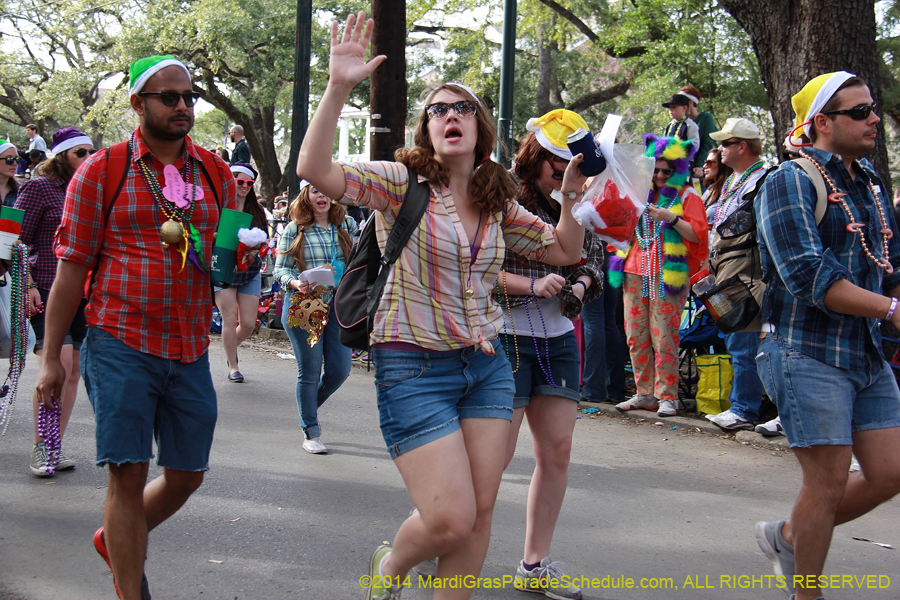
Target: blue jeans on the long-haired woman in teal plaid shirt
{"points": [[315, 386]]}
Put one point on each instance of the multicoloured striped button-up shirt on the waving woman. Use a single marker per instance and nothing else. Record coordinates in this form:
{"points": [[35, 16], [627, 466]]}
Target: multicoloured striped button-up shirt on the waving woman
{"points": [[436, 296]]}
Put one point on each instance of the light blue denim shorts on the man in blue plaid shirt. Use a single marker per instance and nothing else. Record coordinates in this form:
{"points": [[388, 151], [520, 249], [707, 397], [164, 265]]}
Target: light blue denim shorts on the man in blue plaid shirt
{"points": [[822, 405]]}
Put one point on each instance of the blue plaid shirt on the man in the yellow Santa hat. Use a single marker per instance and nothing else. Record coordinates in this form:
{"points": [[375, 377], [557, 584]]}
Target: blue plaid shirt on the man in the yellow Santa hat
{"points": [[807, 260]]}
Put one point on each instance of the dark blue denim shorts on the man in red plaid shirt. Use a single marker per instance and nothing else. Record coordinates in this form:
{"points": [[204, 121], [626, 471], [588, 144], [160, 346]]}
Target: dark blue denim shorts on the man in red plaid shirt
{"points": [[138, 397]]}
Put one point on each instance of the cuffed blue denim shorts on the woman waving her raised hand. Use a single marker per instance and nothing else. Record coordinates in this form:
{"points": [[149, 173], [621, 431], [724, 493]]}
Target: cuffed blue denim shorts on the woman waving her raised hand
{"points": [[423, 395]]}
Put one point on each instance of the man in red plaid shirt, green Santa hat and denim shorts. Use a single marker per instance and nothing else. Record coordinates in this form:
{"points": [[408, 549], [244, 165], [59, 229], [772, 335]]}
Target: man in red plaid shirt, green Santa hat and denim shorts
{"points": [[144, 360]]}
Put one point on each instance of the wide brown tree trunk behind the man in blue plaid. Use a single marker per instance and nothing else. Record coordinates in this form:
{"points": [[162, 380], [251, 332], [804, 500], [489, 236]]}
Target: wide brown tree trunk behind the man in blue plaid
{"points": [[796, 40]]}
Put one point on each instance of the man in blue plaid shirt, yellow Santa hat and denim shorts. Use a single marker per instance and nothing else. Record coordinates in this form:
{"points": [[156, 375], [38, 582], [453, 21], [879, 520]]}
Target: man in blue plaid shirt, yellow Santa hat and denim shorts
{"points": [[829, 286]]}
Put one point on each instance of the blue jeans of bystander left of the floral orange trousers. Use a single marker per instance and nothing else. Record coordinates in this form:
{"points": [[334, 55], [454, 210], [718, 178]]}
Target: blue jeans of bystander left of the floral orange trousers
{"points": [[604, 351]]}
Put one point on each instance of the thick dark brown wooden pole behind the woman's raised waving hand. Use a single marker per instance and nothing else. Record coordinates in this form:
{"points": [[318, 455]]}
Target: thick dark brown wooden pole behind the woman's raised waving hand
{"points": [[387, 96]]}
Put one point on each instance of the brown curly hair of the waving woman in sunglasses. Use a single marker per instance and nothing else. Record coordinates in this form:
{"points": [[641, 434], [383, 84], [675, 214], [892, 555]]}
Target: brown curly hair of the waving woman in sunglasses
{"points": [[491, 187]]}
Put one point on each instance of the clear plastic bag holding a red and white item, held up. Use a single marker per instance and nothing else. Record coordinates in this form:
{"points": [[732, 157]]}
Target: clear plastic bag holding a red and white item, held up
{"points": [[616, 198]]}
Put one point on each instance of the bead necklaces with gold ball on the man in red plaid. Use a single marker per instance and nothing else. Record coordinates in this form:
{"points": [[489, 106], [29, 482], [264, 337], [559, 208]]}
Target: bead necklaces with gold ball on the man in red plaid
{"points": [[173, 230]]}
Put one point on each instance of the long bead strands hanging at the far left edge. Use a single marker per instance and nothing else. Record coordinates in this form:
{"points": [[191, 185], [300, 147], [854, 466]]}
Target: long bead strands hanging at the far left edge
{"points": [[18, 319]]}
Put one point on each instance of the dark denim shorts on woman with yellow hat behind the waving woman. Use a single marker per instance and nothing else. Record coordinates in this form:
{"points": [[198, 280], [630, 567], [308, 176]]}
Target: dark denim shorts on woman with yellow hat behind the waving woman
{"points": [[531, 380]]}
